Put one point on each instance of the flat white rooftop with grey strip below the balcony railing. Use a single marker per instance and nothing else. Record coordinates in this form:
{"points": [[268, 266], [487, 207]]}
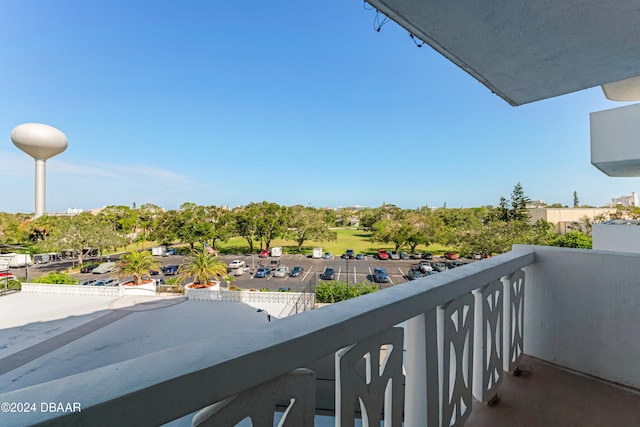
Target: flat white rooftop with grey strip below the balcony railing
{"points": [[45, 337]]}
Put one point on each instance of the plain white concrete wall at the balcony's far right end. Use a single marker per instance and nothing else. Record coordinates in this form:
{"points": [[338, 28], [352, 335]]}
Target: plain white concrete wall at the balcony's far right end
{"points": [[582, 311]]}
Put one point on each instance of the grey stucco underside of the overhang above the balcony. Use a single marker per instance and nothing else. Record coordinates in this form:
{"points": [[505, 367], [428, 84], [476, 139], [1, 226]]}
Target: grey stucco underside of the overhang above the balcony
{"points": [[529, 50]]}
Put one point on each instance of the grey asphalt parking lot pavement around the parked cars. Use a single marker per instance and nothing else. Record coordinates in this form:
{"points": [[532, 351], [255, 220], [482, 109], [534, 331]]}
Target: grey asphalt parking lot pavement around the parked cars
{"points": [[350, 271]]}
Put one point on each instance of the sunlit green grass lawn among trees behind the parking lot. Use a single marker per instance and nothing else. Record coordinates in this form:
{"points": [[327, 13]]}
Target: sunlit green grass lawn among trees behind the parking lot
{"points": [[348, 238]]}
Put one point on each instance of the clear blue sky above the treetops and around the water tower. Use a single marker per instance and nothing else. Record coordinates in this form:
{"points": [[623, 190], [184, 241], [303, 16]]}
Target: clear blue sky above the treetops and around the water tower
{"points": [[226, 103]]}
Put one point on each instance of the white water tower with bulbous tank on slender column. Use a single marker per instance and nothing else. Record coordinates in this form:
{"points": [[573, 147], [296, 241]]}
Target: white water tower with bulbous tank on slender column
{"points": [[41, 142]]}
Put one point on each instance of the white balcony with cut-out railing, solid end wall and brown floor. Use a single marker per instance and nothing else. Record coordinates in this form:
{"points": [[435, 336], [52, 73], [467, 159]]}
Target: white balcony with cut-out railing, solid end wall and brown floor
{"points": [[537, 336]]}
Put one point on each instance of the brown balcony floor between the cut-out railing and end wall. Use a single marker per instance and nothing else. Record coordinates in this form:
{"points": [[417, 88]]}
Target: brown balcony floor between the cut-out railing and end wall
{"points": [[546, 395]]}
